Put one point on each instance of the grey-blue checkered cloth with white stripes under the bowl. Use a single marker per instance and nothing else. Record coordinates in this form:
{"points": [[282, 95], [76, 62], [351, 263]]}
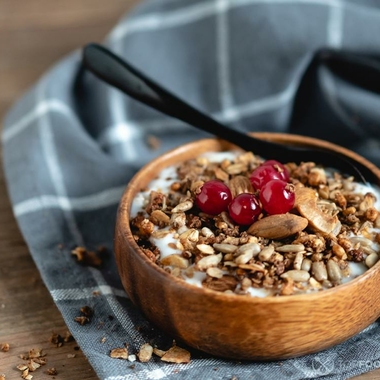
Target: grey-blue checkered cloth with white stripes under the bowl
{"points": [[72, 143]]}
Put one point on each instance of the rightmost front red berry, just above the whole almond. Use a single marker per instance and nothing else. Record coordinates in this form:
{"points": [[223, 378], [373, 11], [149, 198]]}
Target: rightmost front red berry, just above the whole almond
{"points": [[277, 197]]}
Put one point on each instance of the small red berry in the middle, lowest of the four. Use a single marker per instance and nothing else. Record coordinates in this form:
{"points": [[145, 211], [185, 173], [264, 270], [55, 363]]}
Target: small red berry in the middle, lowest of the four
{"points": [[244, 209]]}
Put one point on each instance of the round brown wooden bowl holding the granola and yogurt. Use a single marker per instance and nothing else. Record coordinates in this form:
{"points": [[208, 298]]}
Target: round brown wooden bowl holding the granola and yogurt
{"points": [[236, 326]]}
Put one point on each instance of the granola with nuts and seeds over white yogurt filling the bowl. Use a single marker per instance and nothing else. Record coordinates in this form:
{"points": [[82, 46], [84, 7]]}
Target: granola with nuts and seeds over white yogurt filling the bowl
{"points": [[327, 235]]}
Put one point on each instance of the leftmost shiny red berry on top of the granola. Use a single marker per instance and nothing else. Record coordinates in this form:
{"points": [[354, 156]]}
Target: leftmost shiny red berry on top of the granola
{"points": [[214, 197]]}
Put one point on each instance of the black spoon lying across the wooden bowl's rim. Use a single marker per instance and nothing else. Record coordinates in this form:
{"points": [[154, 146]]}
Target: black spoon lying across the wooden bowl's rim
{"points": [[118, 73]]}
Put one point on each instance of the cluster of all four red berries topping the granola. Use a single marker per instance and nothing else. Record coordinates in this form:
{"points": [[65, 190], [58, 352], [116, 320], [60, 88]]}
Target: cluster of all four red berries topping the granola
{"points": [[274, 195]]}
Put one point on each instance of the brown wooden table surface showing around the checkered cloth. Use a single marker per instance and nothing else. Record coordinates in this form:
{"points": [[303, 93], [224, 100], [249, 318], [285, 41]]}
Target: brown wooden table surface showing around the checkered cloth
{"points": [[34, 35]]}
